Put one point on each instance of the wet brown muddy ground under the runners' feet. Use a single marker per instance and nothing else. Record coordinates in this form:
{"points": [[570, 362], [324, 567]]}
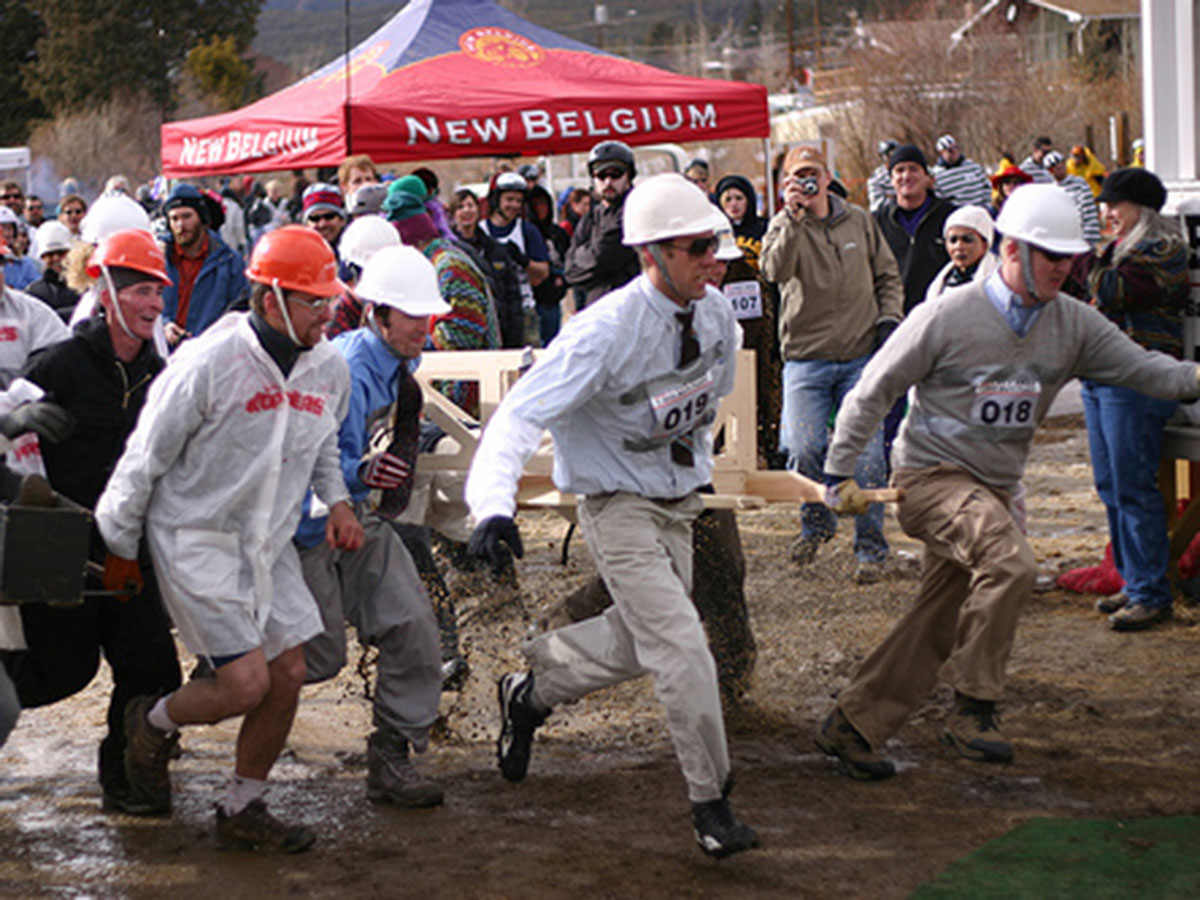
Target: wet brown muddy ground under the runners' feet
{"points": [[1106, 725]]}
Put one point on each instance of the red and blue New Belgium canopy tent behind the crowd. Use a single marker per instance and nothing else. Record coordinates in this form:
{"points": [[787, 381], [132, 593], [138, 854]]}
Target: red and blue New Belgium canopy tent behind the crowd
{"points": [[453, 79]]}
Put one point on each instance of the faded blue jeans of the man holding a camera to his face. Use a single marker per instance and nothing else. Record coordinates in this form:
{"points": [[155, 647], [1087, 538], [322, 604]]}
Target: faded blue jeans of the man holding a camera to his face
{"points": [[813, 391]]}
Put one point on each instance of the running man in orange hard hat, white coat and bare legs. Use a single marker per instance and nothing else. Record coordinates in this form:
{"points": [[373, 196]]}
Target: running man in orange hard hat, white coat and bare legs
{"points": [[233, 433]]}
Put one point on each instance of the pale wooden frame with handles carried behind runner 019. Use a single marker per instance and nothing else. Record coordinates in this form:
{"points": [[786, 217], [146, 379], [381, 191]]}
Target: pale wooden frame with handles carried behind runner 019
{"points": [[737, 479]]}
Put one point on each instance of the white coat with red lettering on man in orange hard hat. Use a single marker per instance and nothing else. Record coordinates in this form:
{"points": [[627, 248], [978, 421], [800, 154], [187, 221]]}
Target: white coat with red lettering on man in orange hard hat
{"points": [[217, 470]]}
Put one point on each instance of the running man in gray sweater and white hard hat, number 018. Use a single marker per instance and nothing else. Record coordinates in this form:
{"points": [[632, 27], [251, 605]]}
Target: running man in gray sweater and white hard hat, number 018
{"points": [[986, 362]]}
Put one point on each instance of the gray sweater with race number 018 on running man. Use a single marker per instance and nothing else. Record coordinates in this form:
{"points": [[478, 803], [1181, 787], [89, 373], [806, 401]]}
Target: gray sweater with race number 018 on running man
{"points": [[979, 389]]}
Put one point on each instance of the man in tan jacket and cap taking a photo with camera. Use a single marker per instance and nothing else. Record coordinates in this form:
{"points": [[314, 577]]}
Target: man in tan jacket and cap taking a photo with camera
{"points": [[841, 298]]}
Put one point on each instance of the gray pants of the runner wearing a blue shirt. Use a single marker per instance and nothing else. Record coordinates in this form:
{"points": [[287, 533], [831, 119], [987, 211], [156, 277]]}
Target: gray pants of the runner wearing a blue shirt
{"points": [[377, 590]]}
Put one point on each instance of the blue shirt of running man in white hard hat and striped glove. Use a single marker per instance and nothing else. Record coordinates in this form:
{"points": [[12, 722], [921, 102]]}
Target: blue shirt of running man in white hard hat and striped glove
{"points": [[374, 369]]}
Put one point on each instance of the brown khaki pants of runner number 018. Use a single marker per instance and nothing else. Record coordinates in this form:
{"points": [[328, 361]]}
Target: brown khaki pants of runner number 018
{"points": [[976, 574]]}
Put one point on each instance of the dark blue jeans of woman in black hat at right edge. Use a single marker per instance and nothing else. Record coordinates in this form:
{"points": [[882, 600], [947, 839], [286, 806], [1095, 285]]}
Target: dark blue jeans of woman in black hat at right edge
{"points": [[1125, 433]]}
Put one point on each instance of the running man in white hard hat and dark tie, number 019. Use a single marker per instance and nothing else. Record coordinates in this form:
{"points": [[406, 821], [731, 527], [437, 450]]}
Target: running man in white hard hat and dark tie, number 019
{"points": [[628, 389]]}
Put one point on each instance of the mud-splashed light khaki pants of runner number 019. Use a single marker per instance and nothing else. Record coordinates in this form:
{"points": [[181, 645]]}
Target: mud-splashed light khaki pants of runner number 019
{"points": [[644, 551]]}
